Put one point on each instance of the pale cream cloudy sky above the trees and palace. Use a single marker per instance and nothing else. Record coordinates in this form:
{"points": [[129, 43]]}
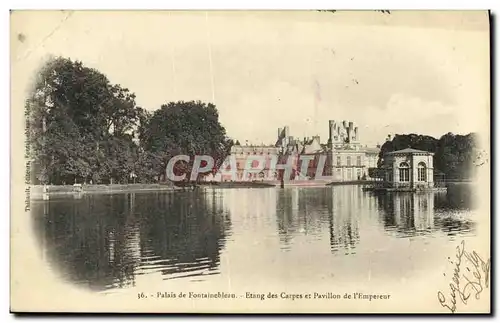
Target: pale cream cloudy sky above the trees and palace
{"points": [[404, 72]]}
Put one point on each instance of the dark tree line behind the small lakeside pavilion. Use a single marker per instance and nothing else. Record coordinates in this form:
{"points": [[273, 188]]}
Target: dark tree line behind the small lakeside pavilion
{"points": [[454, 155]]}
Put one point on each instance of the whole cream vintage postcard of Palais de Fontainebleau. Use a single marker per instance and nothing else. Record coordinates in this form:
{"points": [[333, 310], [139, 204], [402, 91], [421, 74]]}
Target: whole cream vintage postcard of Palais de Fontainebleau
{"points": [[318, 161]]}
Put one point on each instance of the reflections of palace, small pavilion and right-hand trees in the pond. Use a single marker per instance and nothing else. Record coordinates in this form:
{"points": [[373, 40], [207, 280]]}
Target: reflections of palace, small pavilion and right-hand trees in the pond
{"points": [[341, 211]]}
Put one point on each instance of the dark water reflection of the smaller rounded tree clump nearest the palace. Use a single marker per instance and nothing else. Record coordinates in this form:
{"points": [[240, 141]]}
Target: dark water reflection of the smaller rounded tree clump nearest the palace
{"points": [[183, 236]]}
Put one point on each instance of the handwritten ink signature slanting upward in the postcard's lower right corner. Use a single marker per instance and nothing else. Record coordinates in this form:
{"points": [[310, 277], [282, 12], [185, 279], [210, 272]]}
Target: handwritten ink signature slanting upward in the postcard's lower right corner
{"points": [[468, 281]]}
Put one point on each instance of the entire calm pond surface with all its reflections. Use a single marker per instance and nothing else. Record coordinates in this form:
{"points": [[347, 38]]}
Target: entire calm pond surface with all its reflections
{"points": [[115, 241]]}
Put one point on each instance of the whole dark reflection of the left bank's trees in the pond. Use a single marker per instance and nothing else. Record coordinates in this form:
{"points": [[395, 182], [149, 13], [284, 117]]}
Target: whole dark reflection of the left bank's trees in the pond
{"points": [[107, 241]]}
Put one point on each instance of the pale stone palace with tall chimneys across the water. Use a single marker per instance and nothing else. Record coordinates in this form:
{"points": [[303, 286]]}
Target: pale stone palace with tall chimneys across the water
{"points": [[341, 158]]}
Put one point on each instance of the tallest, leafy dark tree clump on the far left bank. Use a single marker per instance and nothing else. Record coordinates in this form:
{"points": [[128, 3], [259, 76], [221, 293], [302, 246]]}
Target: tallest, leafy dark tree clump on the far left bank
{"points": [[79, 125]]}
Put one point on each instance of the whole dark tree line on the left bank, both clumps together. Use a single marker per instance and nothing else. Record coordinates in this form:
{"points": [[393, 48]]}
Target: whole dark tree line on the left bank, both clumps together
{"points": [[81, 128]]}
